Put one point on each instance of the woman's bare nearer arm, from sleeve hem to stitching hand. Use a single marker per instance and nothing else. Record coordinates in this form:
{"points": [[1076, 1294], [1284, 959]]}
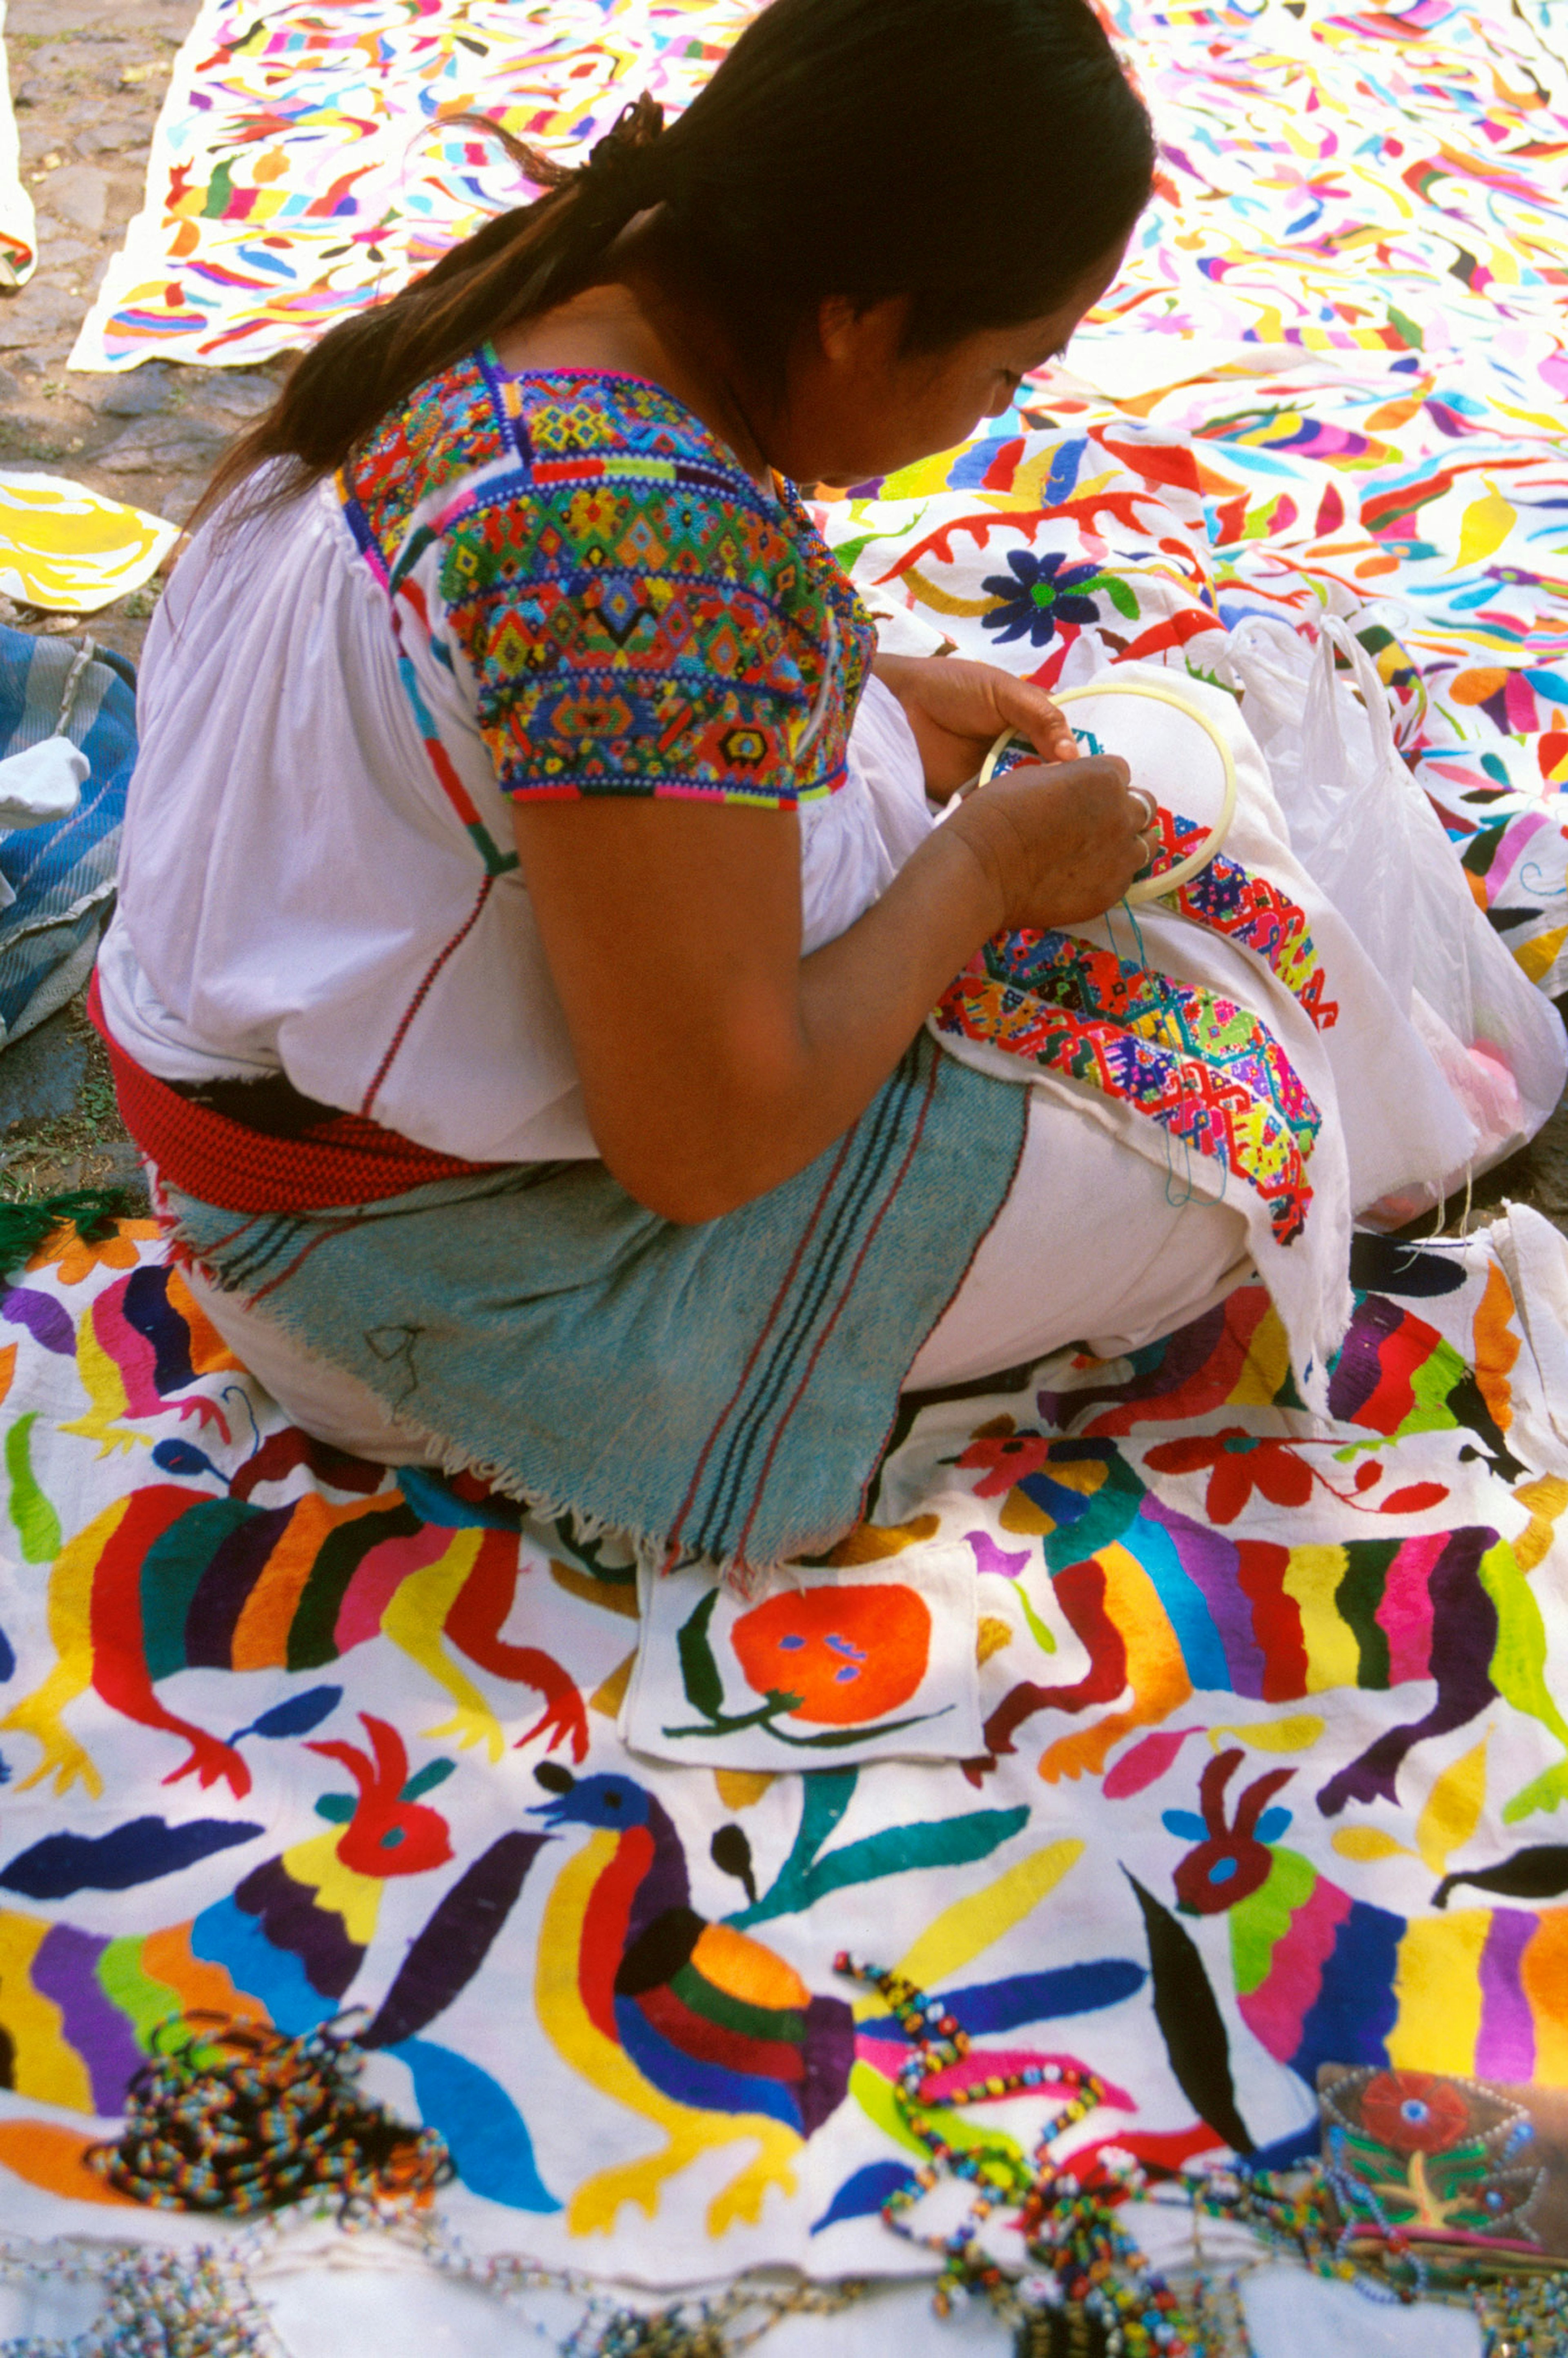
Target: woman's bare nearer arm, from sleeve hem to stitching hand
{"points": [[718, 1062]]}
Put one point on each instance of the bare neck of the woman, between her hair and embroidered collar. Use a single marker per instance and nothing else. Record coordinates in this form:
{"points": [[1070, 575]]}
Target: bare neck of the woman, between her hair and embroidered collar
{"points": [[647, 324]]}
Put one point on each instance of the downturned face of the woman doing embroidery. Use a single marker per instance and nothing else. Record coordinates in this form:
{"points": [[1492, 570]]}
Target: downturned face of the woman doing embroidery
{"points": [[859, 407]]}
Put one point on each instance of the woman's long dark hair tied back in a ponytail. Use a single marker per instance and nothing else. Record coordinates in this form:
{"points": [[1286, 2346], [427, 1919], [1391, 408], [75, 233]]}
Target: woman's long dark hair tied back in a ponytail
{"points": [[977, 157]]}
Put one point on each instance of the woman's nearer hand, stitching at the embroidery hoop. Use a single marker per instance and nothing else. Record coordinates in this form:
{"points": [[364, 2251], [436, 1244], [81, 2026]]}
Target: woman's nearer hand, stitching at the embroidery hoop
{"points": [[1060, 841]]}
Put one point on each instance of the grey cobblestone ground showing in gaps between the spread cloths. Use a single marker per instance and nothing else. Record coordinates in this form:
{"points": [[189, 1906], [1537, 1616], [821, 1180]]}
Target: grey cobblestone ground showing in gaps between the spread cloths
{"points": [[88, 79]]}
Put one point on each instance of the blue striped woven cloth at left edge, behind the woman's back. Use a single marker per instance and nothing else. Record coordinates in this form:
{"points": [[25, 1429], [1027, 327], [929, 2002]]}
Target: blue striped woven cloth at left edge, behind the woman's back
{"points": [[62, 874]]}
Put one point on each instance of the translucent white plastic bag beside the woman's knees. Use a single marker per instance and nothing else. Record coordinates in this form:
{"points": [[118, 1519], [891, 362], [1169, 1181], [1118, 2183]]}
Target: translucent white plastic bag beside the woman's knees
{"points": [[1371, 841]]}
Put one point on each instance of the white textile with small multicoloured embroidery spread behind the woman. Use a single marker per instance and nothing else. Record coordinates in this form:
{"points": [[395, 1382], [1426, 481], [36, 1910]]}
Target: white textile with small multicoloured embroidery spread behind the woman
{"points": [[1333, 367]]}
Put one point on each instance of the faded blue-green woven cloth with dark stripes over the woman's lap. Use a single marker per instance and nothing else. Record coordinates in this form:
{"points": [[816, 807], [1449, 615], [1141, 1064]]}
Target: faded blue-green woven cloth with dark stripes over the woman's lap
{"points": [[716, 1392]]}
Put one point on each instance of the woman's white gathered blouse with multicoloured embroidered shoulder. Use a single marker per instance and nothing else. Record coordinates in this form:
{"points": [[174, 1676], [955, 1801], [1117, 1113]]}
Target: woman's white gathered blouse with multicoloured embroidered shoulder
{"points": [[525, 586]]}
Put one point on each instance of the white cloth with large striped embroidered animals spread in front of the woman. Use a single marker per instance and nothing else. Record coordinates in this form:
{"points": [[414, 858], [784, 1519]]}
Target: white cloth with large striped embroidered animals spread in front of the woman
{"points": [[1272, 1756]]}
